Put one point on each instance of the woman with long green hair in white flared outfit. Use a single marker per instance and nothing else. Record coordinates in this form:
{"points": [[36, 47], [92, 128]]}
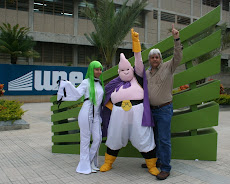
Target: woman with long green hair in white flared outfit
{"points": [[89, 120]]}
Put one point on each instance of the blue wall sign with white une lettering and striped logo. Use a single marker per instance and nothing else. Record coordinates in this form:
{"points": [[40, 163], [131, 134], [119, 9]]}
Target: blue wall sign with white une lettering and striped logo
{"points": [[37, 80]]}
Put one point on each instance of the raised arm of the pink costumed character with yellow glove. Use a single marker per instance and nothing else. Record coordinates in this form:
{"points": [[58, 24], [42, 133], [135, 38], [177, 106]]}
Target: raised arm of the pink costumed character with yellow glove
{"points": [[139, 66]]}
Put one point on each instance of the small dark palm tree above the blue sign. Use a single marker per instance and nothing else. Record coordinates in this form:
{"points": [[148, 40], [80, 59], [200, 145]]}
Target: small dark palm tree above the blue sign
{"points": [[16, 42]]}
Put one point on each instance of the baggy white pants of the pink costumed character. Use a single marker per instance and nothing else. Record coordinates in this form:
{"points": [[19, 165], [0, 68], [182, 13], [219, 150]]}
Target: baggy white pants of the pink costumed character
{"points": [[126, 125]]}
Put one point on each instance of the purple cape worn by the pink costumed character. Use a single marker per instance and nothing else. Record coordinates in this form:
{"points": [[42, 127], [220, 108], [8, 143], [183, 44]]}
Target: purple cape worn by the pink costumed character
{"points": [[147, 119]]}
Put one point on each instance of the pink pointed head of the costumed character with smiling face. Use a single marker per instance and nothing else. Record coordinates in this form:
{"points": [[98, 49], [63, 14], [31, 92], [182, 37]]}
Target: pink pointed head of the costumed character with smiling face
{"points": [[125, 70]]}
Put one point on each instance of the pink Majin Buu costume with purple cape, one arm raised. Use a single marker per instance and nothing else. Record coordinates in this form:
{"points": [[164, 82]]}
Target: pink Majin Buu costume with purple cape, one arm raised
{"points": [[130, 118]]}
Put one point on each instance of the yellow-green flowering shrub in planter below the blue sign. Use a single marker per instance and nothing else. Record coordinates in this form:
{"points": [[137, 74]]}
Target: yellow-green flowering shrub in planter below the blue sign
{"points": [[10, 110]]}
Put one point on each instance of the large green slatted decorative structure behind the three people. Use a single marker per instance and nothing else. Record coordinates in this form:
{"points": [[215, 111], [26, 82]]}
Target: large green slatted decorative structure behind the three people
{"points": [[194, 111]]}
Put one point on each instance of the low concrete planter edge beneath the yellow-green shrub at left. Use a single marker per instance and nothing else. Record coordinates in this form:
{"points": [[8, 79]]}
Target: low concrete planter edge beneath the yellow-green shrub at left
{"points": [[17, 125]]}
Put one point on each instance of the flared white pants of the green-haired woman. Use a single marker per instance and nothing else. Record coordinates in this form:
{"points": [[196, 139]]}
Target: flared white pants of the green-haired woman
{"points": [[88, 154]]}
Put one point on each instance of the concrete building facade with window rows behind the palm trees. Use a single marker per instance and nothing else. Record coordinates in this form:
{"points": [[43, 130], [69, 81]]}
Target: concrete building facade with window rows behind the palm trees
{"points": [[58, 27]]}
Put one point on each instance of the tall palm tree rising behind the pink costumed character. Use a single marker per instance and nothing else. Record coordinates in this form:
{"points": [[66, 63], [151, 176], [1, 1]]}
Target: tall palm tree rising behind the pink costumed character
{"points": [[111, 26]]}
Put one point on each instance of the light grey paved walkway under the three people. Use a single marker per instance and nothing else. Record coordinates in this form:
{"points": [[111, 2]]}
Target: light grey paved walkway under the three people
{"points": [[26, 157]]}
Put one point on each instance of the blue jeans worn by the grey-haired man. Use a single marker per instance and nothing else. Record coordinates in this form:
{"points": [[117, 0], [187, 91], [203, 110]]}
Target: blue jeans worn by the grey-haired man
{"points": [[162, 133]]}
